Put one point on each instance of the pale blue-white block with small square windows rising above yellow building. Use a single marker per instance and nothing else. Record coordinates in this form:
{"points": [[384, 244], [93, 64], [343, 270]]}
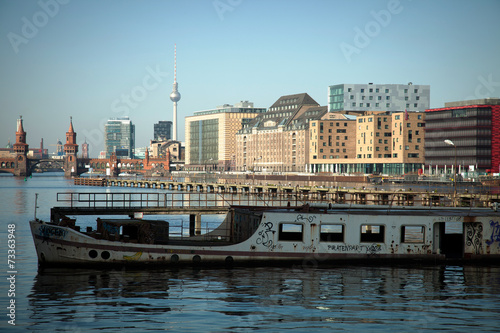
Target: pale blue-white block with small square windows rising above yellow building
{"points": [[378, 97]]}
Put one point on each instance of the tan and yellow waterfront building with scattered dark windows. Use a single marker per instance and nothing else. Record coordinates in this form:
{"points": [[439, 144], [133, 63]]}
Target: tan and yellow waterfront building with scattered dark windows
{"points": [[377, 142]]}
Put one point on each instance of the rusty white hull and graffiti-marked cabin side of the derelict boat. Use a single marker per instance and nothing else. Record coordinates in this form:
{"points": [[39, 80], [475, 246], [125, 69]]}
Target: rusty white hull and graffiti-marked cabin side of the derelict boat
{"points": [[312, 239]]}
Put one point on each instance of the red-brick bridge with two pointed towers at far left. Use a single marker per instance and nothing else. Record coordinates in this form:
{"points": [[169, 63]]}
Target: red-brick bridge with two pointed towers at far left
{"points": [[19, 163]]}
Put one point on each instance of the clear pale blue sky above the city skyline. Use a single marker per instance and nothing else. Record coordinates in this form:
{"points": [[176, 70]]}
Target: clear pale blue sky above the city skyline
{"points": [[93, 60]]}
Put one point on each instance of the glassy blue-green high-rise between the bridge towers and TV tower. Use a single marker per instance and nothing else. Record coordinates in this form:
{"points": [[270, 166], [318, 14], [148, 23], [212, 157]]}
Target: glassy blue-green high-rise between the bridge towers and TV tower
{"points": [[119, 137]]}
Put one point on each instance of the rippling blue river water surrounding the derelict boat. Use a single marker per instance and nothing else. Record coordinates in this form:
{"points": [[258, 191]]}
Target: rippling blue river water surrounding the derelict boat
{"points": [[300, 299]]}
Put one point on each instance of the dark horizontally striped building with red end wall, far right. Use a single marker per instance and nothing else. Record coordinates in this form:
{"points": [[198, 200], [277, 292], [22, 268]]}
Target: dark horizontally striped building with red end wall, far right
{"points": [[473, 130]]}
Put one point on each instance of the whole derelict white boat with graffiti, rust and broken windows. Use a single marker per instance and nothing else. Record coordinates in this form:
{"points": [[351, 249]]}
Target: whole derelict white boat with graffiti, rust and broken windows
{"points": [[309, 235]]}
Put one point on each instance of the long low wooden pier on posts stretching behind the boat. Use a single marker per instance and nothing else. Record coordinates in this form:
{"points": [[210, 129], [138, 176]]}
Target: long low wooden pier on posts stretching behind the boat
{"points": [[302, 194]]}
